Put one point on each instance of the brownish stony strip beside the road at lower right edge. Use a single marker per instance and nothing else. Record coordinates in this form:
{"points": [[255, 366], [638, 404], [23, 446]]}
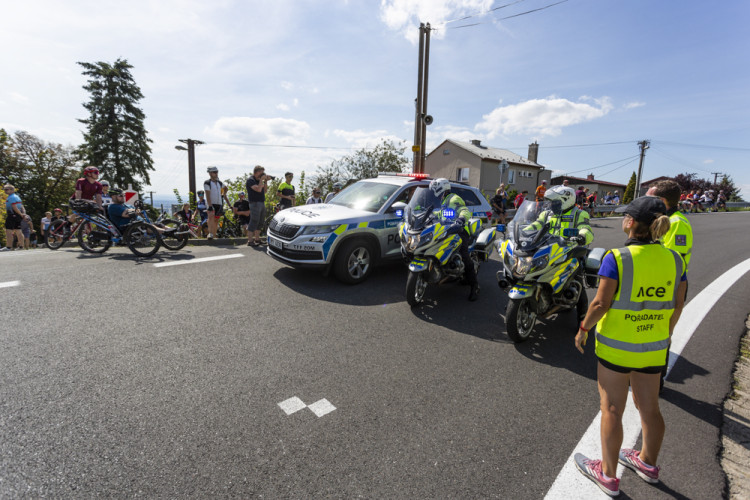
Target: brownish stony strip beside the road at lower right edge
{"points": [[735, 433]]}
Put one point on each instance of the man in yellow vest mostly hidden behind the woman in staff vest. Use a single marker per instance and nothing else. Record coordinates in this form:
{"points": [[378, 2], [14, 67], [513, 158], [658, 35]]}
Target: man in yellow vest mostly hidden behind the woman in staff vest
{"points": [[680, 235]]}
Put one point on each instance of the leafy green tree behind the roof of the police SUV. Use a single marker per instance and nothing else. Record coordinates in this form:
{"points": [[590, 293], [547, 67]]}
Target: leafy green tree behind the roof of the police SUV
{"points": [[388, 156]]}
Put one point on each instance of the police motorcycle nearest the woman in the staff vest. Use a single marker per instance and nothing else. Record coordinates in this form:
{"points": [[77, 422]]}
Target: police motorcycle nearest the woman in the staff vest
{"points": [[546, 273]]}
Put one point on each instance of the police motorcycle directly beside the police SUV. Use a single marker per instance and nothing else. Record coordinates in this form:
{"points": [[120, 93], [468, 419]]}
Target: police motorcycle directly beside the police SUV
{"points": [[430, 244]]}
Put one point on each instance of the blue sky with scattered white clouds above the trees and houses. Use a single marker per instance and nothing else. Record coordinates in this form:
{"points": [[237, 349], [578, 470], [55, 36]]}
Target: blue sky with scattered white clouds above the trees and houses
{"points": [[342, 74]]}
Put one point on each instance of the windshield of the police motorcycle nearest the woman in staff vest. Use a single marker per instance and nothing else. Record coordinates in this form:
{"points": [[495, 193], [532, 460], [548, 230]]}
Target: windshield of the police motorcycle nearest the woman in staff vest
{"points": [[531, 227]]}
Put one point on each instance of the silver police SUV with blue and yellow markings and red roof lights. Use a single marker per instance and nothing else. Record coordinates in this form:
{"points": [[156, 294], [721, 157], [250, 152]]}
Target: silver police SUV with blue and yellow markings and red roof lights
{"points": [[356, 229]]}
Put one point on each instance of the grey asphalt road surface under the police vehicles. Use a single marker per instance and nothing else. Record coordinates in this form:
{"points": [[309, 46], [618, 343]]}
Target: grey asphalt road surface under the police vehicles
{"points": [[120, 378]]}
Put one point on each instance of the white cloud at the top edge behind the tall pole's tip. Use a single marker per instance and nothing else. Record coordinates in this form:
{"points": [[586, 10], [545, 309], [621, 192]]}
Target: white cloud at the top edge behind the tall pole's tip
{"points": [[405, 15]]}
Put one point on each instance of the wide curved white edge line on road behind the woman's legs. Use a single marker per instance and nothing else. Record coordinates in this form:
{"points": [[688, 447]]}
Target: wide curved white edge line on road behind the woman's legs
{"points": [[570, 483]]}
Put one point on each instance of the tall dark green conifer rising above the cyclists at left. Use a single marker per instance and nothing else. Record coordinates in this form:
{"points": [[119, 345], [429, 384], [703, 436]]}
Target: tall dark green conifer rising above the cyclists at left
{"points": [[115, 138]]}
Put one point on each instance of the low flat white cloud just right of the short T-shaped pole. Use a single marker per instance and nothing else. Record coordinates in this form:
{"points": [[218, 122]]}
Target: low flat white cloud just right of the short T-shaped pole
{"points": [[282, 131]]}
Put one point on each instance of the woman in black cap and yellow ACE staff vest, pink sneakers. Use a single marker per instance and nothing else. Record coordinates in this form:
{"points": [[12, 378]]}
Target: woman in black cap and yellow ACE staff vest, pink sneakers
{"points": [[639, 300]]}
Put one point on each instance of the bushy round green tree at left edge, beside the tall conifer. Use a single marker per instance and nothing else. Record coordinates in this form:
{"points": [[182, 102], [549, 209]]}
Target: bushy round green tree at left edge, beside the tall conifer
{"points": [[43, 173]]}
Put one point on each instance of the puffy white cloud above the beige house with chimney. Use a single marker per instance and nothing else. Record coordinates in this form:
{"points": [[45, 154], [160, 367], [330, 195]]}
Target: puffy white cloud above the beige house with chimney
{"points": [[542, 116]]}
